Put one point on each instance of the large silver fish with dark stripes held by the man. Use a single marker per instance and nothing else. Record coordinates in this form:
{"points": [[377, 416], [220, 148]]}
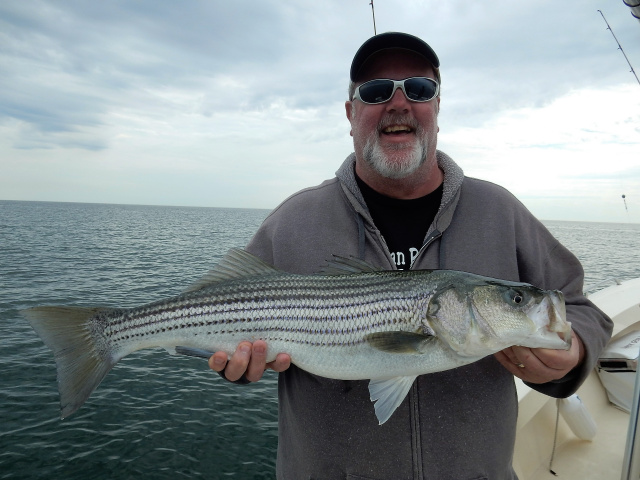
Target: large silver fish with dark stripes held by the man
{"points": [[350, 321]]}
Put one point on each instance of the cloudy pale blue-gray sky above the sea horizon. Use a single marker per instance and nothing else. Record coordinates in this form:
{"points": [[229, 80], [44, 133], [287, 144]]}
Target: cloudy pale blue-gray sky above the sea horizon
{"points": [[240, 103]]}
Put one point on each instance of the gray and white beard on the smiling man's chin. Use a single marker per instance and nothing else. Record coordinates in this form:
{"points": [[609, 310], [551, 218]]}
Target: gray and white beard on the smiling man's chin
{"points": [[399, 163]]}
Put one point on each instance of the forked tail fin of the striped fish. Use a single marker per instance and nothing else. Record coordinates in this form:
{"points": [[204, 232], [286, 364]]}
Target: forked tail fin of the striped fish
{"points": [[81, 364]]}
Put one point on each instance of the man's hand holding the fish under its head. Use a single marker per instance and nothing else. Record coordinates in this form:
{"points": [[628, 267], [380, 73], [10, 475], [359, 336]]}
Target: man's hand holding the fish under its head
{"points": [[541, 365]]}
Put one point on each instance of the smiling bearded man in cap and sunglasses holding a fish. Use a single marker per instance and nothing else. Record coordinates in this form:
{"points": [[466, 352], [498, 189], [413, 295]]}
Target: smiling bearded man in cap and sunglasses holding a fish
{"points": [[397, 202]]}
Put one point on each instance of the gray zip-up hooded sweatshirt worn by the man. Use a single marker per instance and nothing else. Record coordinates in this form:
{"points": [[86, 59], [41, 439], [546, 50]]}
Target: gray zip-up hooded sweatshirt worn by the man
{"points": [[458, 424]]}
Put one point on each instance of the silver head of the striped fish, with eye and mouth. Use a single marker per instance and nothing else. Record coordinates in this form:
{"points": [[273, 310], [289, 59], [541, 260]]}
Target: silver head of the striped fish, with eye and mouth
{"points": [[479, 316]]}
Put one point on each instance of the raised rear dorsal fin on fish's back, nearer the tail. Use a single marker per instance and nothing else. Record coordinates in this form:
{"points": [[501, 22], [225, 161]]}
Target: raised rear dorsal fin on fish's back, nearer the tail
{"points": [[237, 263]]}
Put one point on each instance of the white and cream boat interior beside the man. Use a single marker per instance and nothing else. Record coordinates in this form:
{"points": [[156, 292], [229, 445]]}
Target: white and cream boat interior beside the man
{"points": [[547, 445]]}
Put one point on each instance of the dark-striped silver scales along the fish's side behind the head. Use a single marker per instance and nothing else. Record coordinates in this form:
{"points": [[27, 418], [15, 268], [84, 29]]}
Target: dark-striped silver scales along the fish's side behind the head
{"points": [[262, 310]]}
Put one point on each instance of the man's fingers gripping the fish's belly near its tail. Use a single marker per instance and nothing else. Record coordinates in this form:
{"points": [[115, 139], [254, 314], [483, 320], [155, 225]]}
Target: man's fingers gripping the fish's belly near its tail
{"points": [[248, 360]]}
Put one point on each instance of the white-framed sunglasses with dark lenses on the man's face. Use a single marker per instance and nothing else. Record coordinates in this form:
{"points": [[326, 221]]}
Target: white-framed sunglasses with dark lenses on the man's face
{"points": [[380, 90]]}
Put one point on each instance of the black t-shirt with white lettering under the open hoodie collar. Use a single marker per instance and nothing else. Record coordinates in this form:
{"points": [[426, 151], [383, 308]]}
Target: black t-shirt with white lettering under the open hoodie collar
{"points": [[402, 223]]}
